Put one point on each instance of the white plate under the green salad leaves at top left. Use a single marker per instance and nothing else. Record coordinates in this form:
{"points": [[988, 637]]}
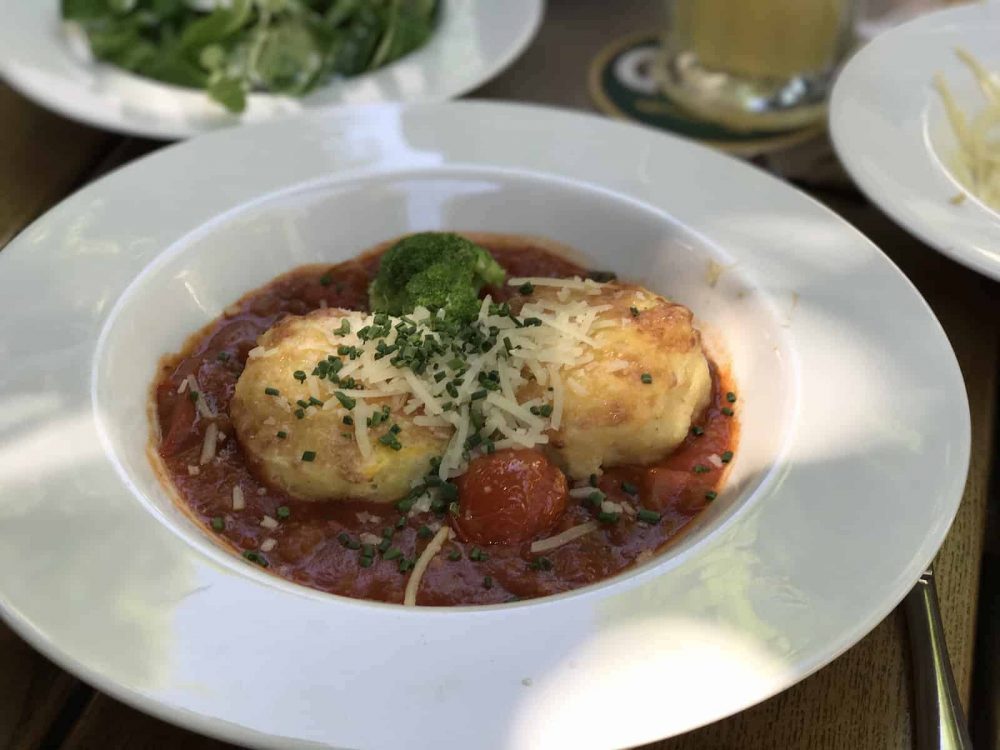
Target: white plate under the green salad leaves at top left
{"points": [[474, 41]]}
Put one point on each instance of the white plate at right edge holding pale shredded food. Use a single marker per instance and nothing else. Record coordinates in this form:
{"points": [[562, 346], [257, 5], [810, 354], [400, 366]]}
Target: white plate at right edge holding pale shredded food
{"points": [[891, 132]]}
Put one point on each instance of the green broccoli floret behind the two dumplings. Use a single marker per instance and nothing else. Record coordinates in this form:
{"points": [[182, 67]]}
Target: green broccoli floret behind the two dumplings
{"points": [[436, 270]]}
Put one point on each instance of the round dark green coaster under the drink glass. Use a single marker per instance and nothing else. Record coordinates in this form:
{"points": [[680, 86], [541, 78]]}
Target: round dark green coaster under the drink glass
{"points": [[622, 84]]}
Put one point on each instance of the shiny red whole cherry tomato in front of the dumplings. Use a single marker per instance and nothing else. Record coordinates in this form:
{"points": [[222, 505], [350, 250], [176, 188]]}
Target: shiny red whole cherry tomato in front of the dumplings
{"points": [[509, 496]]}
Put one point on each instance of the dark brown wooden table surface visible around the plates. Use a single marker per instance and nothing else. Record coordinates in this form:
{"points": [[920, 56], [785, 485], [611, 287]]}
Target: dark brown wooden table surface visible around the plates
{"points": [[861, 700]]}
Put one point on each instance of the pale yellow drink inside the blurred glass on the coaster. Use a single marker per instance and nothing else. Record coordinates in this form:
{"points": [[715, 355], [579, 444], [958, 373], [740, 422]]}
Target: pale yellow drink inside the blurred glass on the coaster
{"points": [[761, 38]]}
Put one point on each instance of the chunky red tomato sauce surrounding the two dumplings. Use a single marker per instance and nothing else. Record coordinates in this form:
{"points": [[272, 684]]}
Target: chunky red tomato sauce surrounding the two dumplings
{"points": [[317, 542]]}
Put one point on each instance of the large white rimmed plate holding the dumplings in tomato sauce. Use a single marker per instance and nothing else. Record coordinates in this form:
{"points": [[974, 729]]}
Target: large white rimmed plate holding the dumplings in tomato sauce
{"points": [[853, 452]]}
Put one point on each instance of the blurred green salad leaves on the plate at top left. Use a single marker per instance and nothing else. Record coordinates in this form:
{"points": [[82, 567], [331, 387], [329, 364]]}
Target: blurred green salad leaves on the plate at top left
{"points": [[232, 47]]}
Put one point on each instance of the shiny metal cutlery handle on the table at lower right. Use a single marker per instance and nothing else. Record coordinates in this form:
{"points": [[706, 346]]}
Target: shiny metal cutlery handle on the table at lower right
{"points": [[940, 721]]}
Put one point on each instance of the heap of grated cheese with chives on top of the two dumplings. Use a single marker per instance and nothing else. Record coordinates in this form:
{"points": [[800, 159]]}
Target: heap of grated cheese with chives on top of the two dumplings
{"points": [[483, 380]]}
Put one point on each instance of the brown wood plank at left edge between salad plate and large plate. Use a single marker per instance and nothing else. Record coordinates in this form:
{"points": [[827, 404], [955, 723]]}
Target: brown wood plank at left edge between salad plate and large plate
{"points": [[44, 157]]}
